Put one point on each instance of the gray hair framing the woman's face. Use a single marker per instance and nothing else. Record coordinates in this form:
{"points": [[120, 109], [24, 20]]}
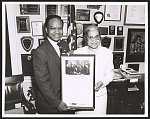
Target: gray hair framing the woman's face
{"points": [[90, 28]]}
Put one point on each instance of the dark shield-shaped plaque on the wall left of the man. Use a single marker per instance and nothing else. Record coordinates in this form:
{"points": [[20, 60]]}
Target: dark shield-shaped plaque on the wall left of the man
{"points": [[27, 43]]}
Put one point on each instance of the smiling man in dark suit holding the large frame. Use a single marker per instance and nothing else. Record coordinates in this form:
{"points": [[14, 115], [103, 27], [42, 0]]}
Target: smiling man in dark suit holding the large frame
{"points": [[46, 64]]}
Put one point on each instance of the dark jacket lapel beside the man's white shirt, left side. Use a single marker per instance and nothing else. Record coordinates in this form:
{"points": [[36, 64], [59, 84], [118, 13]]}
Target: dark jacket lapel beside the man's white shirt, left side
{"points": [[53, 53]]}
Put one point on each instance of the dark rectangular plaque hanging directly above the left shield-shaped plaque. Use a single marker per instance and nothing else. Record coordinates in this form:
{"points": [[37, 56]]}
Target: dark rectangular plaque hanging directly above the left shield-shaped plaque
{"points": [[23, 24]]}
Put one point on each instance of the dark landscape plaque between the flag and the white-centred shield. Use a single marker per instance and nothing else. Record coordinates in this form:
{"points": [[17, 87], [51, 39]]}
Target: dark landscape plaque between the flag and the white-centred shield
{"points": [[83, 15]]}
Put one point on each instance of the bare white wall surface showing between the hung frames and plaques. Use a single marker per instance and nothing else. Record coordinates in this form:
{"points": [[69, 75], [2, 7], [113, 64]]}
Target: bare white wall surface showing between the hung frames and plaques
{"points": [[15, 43]]}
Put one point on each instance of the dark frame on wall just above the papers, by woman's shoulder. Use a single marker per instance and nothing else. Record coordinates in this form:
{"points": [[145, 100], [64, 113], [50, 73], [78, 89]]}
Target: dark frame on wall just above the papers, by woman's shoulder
{"points": [[118, 59]]}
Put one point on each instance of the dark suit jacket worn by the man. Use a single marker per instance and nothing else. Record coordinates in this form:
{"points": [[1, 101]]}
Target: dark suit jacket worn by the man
{"points": [[46, 64]]}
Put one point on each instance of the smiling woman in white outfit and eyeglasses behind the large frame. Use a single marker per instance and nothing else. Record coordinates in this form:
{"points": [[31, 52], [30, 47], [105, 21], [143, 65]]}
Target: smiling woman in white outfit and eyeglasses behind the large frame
{"points": [[103, 68]]}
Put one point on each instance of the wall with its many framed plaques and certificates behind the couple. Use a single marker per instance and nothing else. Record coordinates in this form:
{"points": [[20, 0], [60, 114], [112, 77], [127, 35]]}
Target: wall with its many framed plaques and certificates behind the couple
{"points": [[28, 19]]}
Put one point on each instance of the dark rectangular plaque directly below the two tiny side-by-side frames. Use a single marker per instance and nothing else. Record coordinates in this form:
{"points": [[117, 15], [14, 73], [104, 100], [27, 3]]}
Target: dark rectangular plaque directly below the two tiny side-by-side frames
{"points": [[118, 43]]}
